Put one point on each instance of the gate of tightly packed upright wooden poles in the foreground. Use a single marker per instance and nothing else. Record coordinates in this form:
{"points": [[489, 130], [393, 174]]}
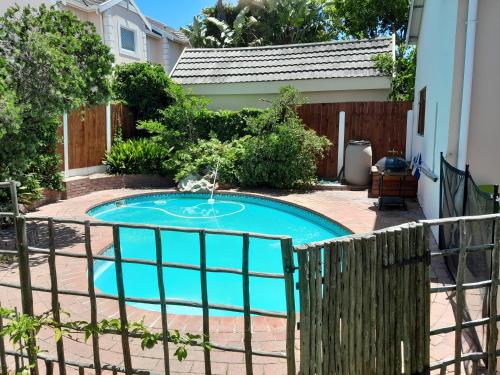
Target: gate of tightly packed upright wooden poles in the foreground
{"points": [[363, 299]]}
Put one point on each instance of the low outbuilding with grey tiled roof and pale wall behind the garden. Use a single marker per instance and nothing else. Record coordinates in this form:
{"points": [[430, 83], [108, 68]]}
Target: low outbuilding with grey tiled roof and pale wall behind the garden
{"points": [[328, 72]]}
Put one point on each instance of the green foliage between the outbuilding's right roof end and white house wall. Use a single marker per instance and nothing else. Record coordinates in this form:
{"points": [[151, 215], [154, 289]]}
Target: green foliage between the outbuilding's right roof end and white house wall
{"points": [[403, 71]]}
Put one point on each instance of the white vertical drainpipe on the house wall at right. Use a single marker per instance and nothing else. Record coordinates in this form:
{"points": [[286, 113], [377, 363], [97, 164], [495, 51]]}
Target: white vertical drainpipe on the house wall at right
{"points": [[470, 43]]}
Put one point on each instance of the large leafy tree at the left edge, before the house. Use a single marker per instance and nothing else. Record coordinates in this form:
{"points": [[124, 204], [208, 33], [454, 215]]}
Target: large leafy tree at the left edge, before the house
{"points": [[49, 62]]}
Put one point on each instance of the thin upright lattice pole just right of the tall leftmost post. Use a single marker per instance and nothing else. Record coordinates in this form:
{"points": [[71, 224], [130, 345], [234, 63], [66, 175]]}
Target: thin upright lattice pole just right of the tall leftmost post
{"points": [[54, 294]]}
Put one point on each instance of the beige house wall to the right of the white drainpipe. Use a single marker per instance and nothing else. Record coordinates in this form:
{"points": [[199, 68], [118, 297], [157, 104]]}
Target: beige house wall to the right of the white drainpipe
{"points": [[484, 132]]}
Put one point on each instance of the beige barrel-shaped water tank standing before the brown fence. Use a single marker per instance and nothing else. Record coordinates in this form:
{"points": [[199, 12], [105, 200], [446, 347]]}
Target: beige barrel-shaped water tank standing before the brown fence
{"points": [[358, 161]]}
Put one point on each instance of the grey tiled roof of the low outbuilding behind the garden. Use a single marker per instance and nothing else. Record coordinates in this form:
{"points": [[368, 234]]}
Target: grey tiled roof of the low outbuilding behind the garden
{"points": [[338, 59]]}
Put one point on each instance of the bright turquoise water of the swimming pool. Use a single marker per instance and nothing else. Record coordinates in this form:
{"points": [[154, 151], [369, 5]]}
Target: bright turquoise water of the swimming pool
{"points": [[229, 212]]}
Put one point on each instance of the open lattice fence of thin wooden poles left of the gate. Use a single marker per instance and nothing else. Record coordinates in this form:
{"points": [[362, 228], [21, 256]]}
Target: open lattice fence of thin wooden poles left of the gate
{"points": [[25, 253]]}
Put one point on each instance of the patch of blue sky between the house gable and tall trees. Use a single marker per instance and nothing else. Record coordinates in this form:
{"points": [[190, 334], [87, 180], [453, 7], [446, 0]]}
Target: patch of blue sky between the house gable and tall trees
{"points": [[175, 13]]}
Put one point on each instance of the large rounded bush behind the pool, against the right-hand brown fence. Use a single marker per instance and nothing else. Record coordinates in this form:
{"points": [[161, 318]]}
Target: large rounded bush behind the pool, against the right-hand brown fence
{"points": [[282, 153]]}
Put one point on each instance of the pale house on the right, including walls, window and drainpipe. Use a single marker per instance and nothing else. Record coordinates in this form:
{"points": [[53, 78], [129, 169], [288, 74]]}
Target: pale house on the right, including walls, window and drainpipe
{"points": [[457, 90]]}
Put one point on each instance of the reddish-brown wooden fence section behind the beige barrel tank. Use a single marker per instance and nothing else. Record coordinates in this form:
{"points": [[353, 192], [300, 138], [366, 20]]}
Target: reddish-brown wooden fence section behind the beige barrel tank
{"points": [[382, 123]]}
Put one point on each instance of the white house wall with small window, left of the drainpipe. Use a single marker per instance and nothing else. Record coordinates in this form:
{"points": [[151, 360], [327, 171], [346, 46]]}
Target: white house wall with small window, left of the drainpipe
{"points": [[435, 71]]}
